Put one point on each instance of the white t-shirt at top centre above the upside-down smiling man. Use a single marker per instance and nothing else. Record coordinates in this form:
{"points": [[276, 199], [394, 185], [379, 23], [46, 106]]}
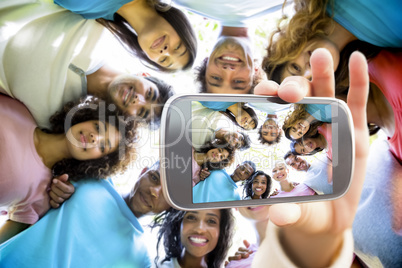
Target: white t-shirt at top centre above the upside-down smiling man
{"points": [[232, 13]]}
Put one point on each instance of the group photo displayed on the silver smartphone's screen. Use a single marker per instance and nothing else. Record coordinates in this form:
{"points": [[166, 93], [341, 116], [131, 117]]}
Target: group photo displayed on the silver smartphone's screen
{"points": [[255, 150]]}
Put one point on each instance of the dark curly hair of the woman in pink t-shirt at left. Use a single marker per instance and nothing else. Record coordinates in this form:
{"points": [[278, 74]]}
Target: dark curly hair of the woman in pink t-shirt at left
{"points": [[94, 109]]}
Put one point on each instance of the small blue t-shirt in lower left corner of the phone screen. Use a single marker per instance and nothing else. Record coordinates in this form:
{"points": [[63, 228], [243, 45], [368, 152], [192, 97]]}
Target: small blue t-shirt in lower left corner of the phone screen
{"points": [[219, 186]]}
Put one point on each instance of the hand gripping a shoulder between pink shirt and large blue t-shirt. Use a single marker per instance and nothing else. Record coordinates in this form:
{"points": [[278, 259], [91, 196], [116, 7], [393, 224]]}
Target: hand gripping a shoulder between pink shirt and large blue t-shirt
{"points": [[60, 190]]}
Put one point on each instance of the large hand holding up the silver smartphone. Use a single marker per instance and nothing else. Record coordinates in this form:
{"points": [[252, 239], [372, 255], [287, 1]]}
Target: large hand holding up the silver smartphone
{"points": [[313, 234]]}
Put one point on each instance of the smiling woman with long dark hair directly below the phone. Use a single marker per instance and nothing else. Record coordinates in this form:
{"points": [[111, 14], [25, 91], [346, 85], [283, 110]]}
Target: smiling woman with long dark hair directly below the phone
{"points": [[196, 238]]}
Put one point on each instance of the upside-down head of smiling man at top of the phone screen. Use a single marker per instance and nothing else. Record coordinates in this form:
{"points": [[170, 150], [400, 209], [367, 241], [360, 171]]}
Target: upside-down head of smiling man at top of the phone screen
{"points": [[270, 133]]}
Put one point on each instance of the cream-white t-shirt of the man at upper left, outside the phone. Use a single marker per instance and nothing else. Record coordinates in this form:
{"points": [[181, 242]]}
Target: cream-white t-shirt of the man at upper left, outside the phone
{"points": [[45, 54]]}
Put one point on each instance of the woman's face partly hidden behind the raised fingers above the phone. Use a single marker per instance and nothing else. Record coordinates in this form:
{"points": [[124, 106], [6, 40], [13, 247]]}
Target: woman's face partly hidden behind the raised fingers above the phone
{"points": [[301, 65]]}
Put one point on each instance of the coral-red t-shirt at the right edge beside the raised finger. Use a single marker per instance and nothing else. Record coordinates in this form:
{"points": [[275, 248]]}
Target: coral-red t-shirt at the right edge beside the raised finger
{"points": [[385, 71]]}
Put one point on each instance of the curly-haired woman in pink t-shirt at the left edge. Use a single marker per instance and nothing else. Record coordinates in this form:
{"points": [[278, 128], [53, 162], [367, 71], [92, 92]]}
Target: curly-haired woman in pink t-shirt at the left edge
{"points": [[85, 141]]}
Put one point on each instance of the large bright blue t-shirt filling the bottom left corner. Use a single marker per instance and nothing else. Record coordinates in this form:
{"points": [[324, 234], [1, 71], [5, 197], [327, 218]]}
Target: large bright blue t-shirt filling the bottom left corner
{"points": [[94, 228]]}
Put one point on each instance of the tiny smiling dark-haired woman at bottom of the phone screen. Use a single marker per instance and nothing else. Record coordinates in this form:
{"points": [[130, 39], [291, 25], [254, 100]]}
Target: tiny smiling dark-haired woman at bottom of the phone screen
{"points": [[258, 186]]}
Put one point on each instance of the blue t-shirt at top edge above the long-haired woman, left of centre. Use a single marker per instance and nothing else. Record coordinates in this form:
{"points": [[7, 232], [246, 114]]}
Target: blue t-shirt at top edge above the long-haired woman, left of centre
{"points": [[93, 9]]}
